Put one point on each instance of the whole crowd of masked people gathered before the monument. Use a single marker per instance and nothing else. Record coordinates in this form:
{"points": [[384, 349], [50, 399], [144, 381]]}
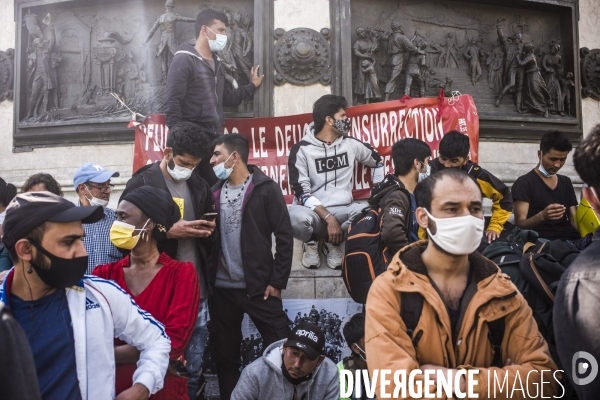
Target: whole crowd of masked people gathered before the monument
{"points": [[99, 303]]}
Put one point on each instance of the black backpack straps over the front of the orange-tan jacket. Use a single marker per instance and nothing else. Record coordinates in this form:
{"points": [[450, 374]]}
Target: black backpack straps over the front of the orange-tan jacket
{"points": [[410, 312]]}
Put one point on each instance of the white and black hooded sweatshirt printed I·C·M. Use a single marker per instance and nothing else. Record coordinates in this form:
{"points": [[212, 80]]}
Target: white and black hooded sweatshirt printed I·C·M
{"points": [[321, 173]]}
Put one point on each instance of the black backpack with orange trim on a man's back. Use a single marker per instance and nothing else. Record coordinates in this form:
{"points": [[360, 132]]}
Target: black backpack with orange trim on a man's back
{"points": [[365, 257]]}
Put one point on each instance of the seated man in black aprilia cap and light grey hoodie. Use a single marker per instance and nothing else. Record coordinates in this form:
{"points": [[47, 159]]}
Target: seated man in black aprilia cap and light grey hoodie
{"points": [[300, 361]]}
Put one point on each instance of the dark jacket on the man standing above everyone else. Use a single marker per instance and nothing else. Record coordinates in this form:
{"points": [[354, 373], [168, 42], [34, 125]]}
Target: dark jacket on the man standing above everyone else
{"points": [[195, 93]]}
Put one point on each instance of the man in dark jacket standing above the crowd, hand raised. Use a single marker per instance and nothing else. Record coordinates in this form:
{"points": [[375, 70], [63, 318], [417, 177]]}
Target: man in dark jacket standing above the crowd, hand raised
{"points": [[195, 89]]}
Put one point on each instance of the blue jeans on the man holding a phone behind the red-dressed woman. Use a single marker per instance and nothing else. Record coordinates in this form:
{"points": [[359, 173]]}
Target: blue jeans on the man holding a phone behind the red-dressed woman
{"points": [[195, 349]]}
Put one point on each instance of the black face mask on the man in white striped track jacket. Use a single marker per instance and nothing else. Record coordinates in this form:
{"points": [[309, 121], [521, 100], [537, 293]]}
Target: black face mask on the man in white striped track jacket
{"points": [[63, 272]]}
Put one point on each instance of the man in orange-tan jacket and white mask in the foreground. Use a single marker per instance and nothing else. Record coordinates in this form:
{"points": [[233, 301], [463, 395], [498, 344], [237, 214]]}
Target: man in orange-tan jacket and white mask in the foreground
{"points": [[462, 291]]}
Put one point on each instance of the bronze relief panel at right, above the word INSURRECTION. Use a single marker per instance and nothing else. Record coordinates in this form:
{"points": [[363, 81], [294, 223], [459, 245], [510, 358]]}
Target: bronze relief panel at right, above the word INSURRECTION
{"points": [[511, 61]]}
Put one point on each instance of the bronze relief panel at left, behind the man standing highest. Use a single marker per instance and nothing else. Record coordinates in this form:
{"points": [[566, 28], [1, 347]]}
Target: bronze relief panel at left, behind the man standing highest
{"points": [[76, 57]]}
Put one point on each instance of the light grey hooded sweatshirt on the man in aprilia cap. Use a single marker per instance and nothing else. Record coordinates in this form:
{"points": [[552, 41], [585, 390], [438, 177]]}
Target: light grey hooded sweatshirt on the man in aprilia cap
{"points": [[264, 380]]}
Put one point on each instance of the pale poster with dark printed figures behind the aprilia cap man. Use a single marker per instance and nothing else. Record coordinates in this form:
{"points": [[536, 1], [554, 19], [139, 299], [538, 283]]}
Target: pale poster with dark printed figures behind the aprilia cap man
{"points": [[330, 315]]}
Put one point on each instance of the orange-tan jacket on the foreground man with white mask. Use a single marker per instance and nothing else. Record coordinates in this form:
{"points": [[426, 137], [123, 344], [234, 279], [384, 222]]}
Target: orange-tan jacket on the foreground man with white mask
{"points": [[388, 345]]}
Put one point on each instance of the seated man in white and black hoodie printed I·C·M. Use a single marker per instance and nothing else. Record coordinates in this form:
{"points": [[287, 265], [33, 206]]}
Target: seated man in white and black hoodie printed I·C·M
{"points": [[321, 168]]}
